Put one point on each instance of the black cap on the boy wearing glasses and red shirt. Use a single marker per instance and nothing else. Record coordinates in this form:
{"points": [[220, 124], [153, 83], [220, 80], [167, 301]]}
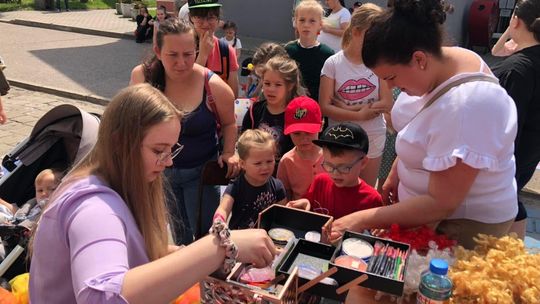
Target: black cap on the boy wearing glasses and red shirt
{"points": [[346, 135]]}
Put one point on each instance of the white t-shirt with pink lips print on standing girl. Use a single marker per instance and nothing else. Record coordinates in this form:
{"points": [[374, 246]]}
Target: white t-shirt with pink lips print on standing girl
{"points": [[355, 84]]}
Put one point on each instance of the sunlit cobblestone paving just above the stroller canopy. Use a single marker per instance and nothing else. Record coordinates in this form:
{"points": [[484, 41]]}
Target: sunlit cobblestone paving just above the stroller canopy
{"points": [[24, 108]]}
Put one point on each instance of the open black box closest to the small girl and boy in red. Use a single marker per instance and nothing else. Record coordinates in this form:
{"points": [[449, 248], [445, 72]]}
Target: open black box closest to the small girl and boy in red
{"points": [[298, 221]]}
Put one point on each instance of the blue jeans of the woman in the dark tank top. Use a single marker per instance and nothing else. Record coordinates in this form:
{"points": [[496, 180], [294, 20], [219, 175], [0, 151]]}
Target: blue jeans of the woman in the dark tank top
{"points": [[185, 188]]}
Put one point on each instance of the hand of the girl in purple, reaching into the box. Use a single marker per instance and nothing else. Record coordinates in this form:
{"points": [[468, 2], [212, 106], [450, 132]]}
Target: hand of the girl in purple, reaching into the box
{"points": [[254, 246]]}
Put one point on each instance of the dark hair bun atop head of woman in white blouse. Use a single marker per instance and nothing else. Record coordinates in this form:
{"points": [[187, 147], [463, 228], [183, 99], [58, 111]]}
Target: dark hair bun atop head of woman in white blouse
{"points": [[422, 11]]}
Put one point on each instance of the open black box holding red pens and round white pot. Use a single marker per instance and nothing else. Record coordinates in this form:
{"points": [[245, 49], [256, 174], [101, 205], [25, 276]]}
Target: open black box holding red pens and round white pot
{"points": [[374, 281]]}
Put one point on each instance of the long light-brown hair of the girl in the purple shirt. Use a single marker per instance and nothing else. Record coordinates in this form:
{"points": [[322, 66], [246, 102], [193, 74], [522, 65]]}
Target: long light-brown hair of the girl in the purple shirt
{"points": [[116, 159]]}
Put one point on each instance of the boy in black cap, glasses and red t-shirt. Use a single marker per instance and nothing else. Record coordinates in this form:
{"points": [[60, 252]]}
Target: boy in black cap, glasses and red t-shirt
{"points": [[339, 191]]}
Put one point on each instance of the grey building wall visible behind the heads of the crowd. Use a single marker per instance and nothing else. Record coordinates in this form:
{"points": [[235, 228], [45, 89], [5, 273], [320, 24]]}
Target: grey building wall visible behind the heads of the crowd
{"points": [[271, 19]]}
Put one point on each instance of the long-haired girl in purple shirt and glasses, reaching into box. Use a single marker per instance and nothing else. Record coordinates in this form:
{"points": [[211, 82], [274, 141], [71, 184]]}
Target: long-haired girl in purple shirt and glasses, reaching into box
{"points": [[103, 237]]}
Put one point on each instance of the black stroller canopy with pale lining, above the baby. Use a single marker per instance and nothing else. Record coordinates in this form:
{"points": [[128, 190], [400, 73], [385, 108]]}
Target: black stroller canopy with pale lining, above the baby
{"points": [[60, 138]]}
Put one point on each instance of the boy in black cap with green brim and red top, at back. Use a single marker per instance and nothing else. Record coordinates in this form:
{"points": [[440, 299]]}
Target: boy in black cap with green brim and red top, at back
{"points": [[221, 59]]}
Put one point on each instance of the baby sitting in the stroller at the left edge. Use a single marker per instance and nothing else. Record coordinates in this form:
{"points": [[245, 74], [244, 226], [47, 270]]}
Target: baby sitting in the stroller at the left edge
{"points": [[45, 183]]}
